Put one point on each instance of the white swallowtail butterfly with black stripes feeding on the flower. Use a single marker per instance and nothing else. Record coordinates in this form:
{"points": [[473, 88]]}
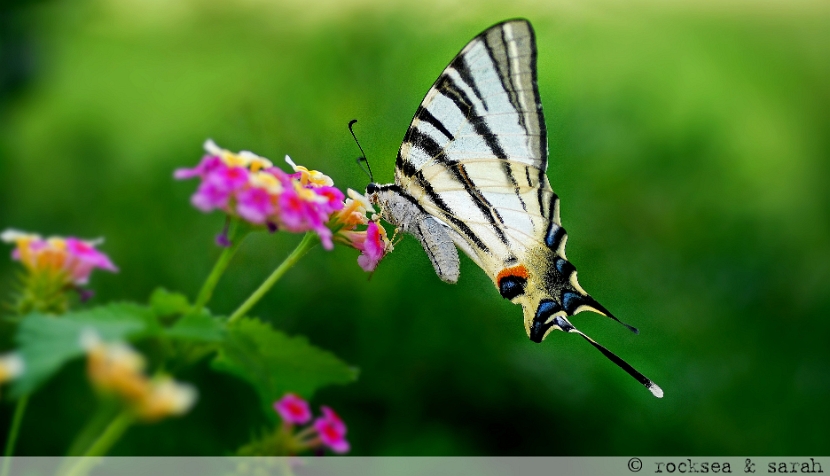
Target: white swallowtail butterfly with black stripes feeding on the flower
{"points": [[470, 174]]}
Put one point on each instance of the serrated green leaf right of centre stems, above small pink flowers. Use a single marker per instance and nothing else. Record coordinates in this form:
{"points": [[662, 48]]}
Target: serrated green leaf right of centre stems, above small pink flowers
{"points": [[275, 363]]}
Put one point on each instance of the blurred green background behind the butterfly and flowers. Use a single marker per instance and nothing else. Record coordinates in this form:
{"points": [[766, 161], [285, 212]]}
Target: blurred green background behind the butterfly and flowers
{"points": [[689, 145]]}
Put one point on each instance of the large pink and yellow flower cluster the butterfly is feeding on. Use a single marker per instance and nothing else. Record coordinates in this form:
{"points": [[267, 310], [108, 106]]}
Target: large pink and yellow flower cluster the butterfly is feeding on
{"points": [[250, 187]]}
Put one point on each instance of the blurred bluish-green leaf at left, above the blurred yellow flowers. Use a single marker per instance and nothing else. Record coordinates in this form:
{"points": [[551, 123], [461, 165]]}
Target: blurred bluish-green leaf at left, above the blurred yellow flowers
{"points": [[46, 343]]}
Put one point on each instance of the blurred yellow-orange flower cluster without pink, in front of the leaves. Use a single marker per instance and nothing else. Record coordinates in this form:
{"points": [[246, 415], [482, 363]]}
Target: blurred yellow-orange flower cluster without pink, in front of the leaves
{"points": [[117, 369]]}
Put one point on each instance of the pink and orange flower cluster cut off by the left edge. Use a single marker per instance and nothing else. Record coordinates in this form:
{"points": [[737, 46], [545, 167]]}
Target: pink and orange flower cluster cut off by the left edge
{"points": [[54, 265]]}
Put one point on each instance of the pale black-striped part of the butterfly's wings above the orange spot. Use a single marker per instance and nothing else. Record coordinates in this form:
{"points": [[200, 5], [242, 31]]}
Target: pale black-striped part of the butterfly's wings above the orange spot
{"points": [[476, 152]]}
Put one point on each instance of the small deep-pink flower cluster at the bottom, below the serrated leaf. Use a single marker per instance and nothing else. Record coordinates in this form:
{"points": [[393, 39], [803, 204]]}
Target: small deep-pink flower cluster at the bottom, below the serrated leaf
{"points": [[327, 430]]}
